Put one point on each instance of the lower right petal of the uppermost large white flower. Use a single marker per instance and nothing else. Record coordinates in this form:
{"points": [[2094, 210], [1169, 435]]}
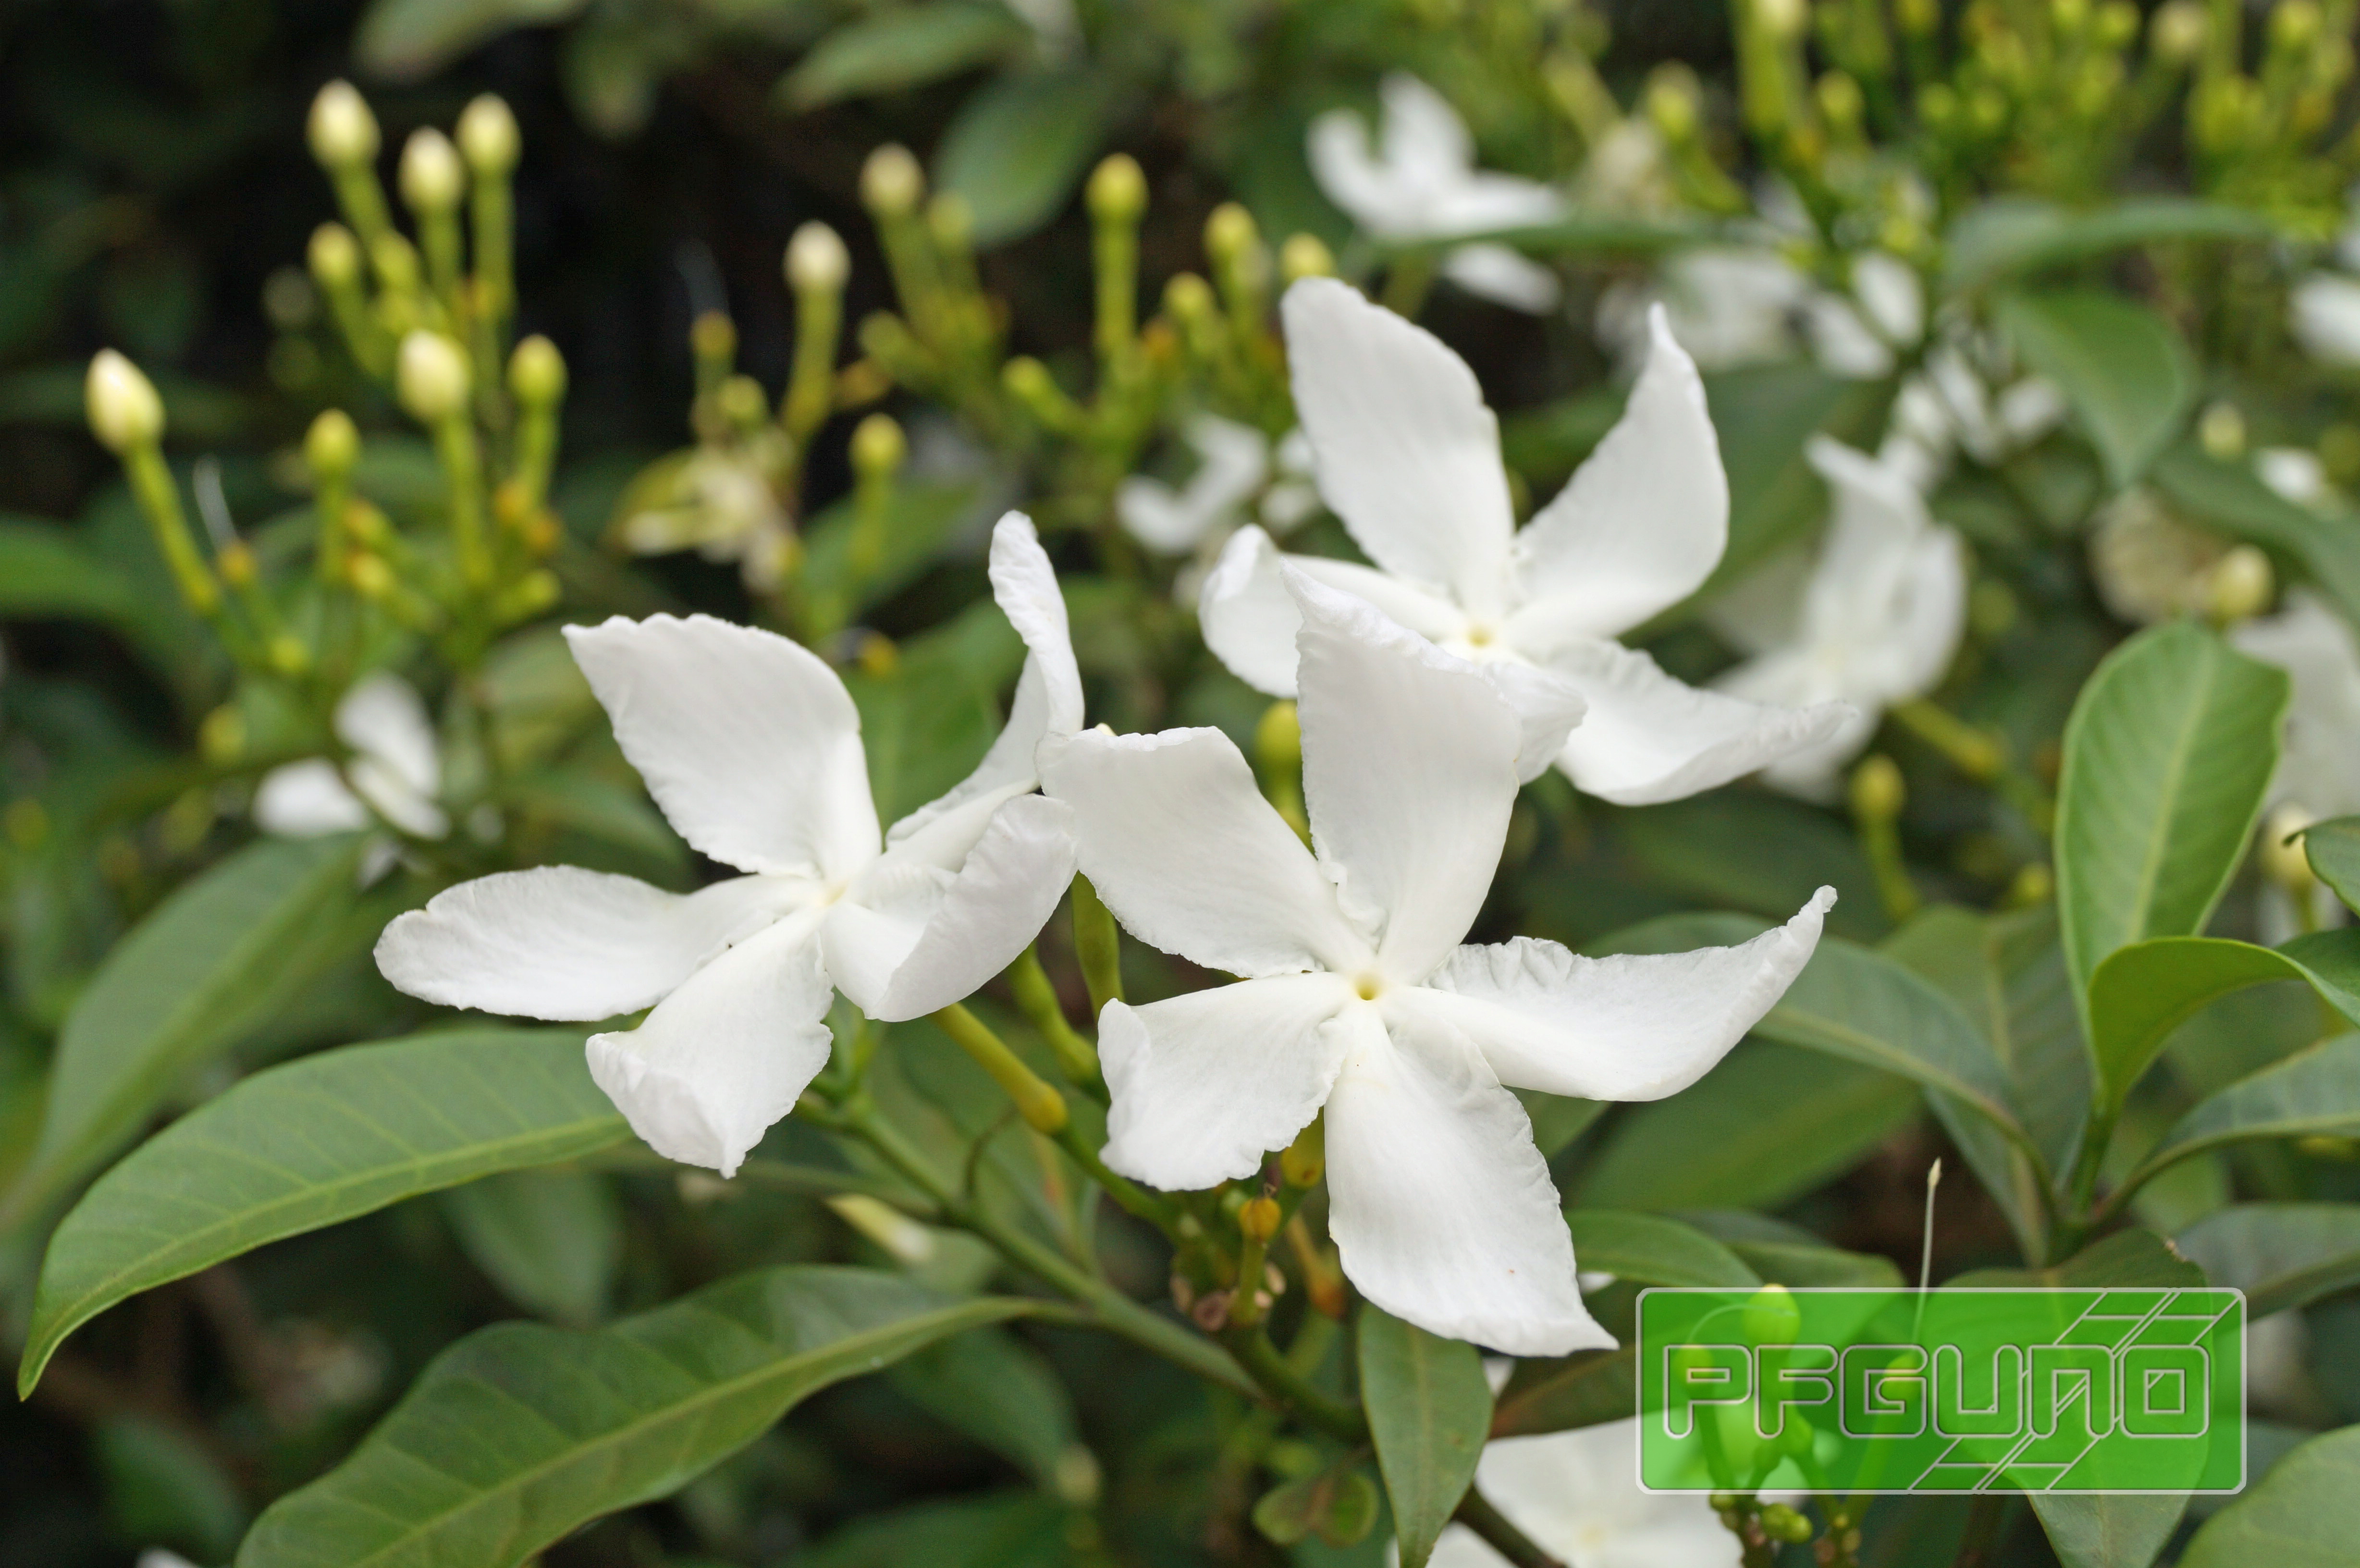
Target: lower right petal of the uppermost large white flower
{"points": [[1648, 738]]}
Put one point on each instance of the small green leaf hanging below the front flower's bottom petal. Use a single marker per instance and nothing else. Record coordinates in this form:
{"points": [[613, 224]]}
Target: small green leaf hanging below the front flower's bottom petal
{"points": [[1429, 1413]]}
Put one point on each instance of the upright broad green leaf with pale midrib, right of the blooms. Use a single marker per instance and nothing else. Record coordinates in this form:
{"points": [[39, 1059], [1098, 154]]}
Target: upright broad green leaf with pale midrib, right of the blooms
{"points": [[2168, 757]]}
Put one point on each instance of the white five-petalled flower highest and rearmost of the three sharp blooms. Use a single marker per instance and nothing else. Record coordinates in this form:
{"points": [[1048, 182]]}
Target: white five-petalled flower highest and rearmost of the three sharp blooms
{"points": [[1408, 457]]}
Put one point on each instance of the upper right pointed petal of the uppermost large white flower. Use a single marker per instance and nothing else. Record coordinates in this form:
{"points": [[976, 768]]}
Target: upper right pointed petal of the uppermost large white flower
{"points": [[1644, 521]]}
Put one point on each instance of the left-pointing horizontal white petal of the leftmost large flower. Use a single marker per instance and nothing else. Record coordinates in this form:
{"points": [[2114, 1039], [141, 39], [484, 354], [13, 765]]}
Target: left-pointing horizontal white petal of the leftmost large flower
{"points": [[570, 943]]}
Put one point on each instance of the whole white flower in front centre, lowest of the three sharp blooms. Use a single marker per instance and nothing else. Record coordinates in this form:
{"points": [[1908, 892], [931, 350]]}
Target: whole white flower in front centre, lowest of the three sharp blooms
{"points": [[1358, 995]]}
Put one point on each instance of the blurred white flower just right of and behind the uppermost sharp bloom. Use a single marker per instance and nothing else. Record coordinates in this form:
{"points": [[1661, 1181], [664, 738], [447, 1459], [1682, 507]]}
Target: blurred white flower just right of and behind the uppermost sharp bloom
{"points": [[1875, 622]]}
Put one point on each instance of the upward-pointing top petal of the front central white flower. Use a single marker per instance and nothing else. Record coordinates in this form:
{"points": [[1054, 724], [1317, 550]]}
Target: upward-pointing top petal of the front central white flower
{"points": [[1408, 773]]}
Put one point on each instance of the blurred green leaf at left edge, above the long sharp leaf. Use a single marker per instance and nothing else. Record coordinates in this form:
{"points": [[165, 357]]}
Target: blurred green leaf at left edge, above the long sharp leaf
{"points": [[214, 962]]}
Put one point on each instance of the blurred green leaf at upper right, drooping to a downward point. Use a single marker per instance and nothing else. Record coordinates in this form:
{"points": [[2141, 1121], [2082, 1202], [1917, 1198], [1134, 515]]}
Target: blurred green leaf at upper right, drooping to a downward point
{"points": [[2120, 365]]}
